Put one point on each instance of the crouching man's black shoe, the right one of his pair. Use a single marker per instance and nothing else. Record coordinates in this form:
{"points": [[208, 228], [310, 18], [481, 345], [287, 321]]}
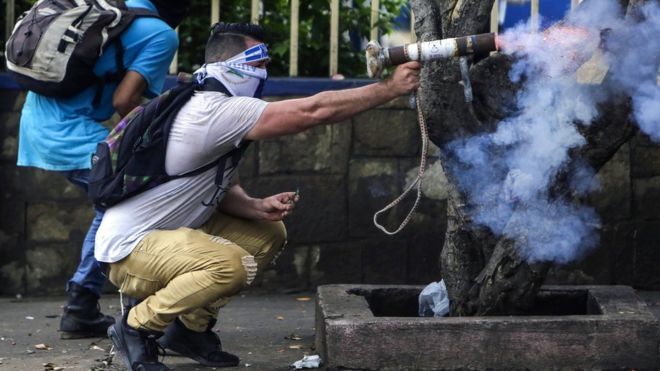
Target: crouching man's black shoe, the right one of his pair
{"points": [[204, 347]]}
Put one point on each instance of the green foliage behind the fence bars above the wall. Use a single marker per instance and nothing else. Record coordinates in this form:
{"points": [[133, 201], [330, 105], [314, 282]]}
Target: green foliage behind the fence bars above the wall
{"points": [[314, 39]]}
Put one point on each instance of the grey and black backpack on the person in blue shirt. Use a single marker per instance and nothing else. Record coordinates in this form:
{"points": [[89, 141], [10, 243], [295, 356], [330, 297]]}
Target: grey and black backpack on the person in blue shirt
{"points": [[55, 45]]}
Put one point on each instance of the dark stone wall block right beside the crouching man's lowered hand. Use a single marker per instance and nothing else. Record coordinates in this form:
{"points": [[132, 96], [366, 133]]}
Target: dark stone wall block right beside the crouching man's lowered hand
{"points": [[320, 216]]}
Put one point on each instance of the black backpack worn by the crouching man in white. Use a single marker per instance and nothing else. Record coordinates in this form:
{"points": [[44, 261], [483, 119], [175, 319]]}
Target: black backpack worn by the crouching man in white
{"points": [[131, 159]]}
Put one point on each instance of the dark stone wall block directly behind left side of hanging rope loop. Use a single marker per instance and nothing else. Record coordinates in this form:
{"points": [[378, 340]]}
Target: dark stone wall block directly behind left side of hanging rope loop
{"points": [[372, 184]]}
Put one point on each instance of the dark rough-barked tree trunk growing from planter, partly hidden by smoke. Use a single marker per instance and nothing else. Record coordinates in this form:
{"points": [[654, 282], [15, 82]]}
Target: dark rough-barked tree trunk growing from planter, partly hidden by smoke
{"points": [[483, 272]]}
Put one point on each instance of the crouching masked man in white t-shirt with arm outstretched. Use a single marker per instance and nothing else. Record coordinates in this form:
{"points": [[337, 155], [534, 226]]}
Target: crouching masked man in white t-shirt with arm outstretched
{"points": [[186, 246]]}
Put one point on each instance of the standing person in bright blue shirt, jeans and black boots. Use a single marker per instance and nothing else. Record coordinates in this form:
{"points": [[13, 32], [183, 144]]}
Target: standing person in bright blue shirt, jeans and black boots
{"points": [[60, 134]]}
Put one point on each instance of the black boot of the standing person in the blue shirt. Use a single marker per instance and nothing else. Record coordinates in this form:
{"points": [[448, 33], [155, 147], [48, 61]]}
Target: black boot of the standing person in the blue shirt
{"points": [[82, 317]]}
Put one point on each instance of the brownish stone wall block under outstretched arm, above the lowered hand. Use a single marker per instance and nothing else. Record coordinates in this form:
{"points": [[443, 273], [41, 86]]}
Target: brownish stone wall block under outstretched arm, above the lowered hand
{"points": [[323, 149]]}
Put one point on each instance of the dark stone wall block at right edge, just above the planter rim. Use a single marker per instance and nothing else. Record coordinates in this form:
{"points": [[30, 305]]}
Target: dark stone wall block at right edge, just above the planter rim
{"points": [[647, 256]]}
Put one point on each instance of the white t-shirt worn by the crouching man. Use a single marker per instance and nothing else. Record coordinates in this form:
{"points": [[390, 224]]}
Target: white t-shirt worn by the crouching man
{"points": [[208, 126]]}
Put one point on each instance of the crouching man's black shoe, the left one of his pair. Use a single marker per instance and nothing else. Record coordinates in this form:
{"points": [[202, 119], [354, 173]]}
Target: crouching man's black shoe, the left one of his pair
{"points": [[138, 349]]}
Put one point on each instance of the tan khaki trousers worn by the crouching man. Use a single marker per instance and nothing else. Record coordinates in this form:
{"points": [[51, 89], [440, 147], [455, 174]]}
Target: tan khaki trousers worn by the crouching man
{"points": [[191, 273]]}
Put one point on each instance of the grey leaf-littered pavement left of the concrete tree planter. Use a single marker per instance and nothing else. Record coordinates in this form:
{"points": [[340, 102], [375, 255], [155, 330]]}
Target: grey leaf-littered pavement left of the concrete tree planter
{"points": [[267, 331]]}
